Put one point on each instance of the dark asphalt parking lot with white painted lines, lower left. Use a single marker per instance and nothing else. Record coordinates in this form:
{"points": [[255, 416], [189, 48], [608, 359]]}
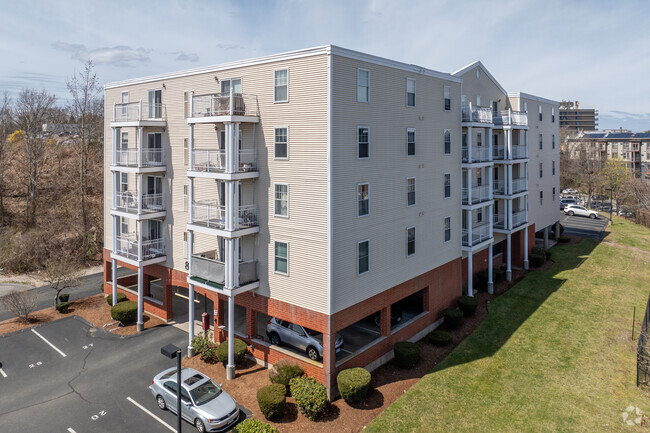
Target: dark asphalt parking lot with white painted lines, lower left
{"points": [[67, 376]]}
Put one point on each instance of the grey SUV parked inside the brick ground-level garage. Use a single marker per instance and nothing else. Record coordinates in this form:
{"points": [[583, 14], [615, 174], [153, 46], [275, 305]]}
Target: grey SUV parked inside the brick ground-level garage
{"points": [[310, 341]]}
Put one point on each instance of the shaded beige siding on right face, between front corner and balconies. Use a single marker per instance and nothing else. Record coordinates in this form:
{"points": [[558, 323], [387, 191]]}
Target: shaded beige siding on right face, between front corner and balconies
{"points": [[386, 171]]}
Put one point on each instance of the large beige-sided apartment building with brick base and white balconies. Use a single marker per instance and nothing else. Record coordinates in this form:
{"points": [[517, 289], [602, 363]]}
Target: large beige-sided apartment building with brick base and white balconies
{"points": [[350, 194]]}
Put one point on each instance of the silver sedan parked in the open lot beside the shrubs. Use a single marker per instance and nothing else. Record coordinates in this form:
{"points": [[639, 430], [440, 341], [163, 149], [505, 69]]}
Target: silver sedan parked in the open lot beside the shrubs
{"points": [[203, 403]]}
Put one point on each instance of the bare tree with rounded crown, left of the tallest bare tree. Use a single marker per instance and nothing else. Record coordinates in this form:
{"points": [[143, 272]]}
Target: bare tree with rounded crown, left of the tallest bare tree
{"points": [[32, 110]]}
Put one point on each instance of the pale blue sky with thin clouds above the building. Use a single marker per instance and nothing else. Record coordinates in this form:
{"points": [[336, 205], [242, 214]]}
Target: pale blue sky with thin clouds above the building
{"points": [[596, 52]]}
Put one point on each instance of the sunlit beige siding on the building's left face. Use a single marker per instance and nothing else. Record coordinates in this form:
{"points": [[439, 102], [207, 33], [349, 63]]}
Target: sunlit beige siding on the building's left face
{"points": [[306, 171]]}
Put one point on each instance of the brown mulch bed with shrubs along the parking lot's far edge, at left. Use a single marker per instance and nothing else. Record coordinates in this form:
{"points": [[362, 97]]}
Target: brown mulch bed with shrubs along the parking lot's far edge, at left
{"points": [[94, 309]]}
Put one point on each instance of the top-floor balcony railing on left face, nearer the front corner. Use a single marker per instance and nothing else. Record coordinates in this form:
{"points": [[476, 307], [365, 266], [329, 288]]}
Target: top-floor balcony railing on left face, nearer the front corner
{"points": [[224, 104]]}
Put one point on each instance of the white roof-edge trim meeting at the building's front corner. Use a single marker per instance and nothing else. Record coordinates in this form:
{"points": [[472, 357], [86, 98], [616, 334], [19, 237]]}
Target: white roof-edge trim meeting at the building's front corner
{"points": [[320, 50]]}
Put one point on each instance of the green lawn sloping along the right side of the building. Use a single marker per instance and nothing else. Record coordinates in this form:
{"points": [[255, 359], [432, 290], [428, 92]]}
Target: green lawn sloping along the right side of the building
{"points": [[554, 354]]}
